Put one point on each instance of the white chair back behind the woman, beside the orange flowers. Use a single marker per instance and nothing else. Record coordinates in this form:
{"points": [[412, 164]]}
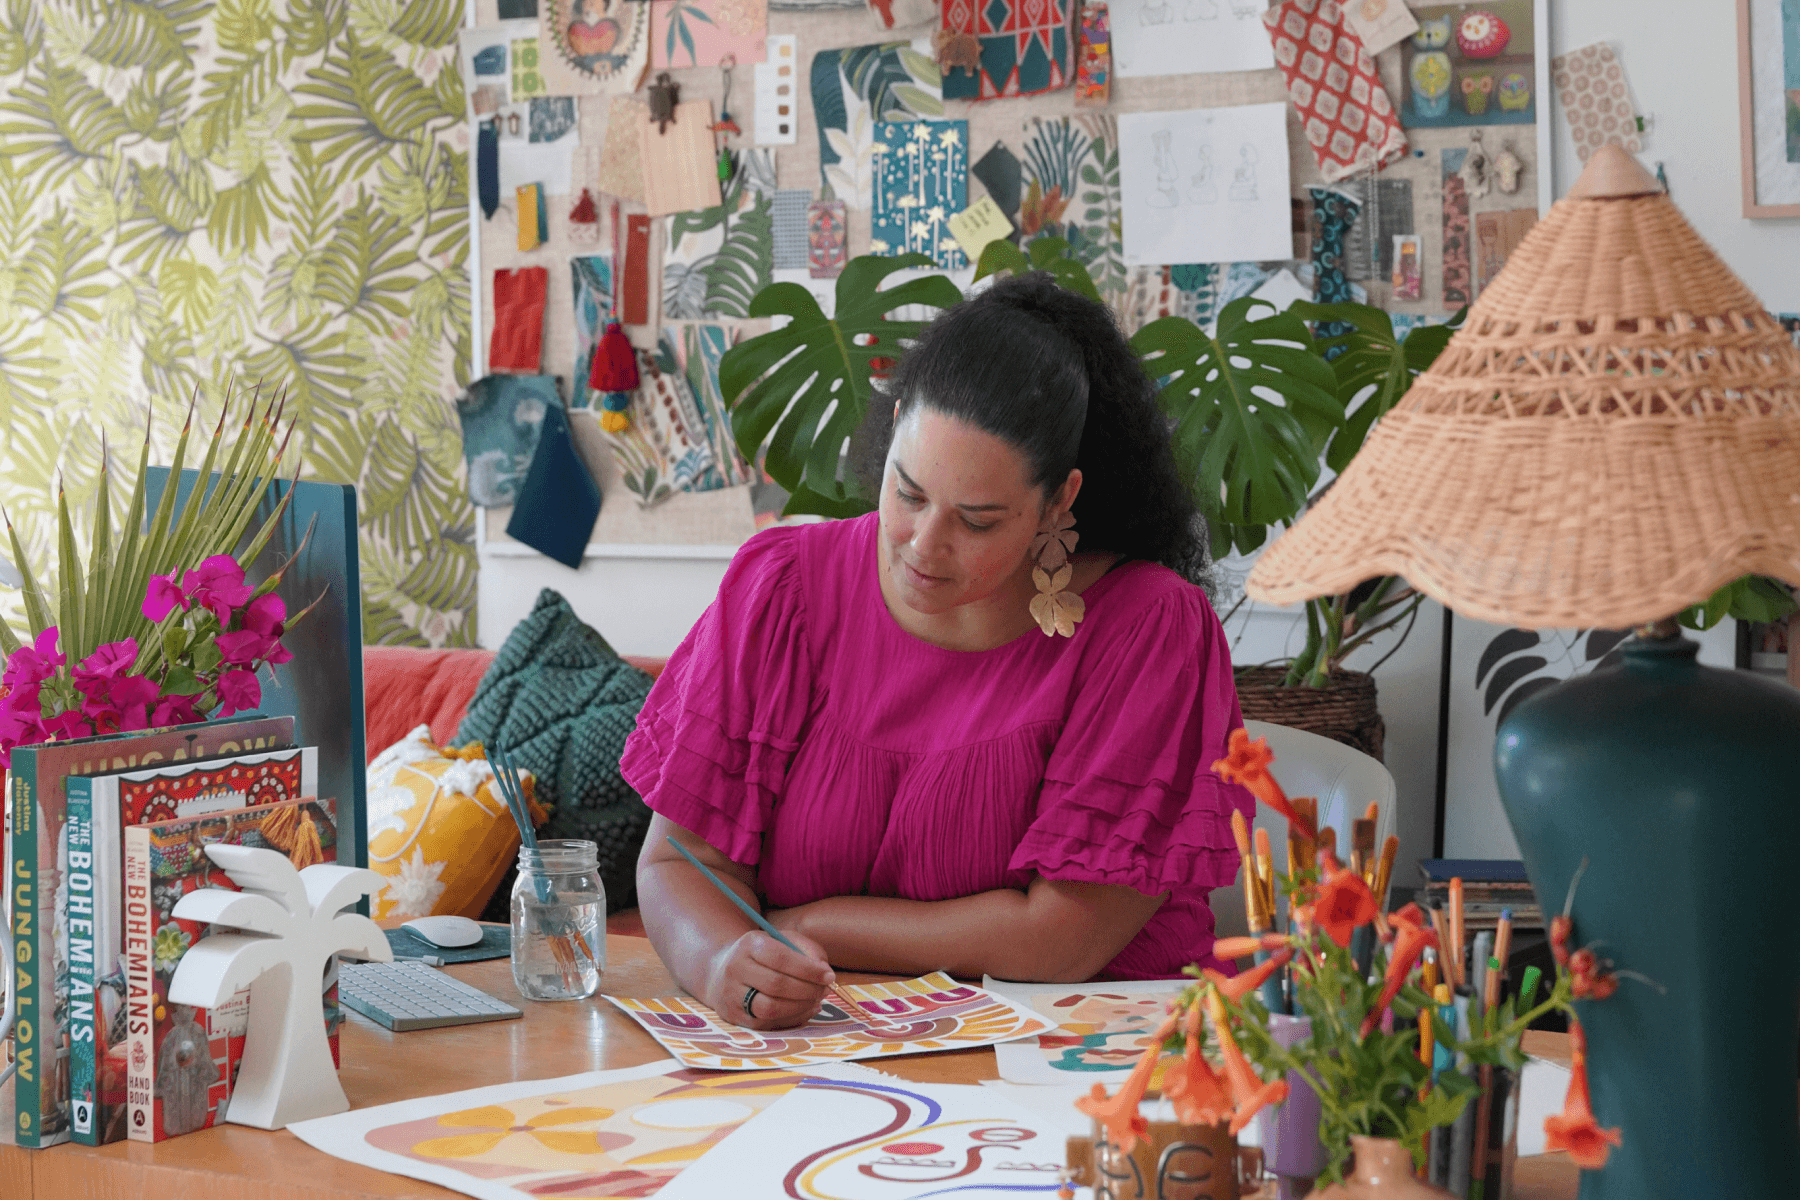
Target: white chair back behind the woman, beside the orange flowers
{"points": [[1342, 778]]}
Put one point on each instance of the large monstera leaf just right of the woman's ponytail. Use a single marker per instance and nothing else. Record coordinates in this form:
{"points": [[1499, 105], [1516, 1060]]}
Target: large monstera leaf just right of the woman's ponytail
{"points": [[1254, 407]]}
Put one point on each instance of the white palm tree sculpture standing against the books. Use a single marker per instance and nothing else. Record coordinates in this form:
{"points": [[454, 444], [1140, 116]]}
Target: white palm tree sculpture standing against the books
{"points": [[291, 924]]}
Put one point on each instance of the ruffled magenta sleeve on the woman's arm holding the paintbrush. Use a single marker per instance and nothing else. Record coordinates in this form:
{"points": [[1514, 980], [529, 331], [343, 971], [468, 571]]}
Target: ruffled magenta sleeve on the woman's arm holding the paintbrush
{"points": [[715, 739]]}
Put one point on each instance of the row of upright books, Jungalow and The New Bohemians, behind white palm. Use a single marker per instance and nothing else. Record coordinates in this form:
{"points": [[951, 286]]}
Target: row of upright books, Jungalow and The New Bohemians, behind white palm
{"points": [[105, 836]]}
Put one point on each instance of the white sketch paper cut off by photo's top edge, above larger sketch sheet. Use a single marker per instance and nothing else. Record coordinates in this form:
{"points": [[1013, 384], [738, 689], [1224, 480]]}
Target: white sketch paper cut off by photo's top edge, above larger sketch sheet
{"points": [[1189, 37]]}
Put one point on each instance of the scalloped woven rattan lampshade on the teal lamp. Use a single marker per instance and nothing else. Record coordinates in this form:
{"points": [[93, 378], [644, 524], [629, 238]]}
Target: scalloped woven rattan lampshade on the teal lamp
{"points": [[1612, 436]]}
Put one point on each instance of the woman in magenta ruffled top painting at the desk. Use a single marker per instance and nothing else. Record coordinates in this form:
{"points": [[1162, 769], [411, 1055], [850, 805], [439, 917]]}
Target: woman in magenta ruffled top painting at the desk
{"points": [[917, 757]]}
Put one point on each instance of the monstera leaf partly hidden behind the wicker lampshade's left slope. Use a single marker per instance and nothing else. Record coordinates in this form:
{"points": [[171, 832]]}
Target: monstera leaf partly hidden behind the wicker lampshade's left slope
{"points": [[1376, 366]]}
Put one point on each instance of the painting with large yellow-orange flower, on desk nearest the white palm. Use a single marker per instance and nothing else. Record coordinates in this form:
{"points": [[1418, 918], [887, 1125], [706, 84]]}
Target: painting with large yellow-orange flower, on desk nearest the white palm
{"points": [[607, 1134]]}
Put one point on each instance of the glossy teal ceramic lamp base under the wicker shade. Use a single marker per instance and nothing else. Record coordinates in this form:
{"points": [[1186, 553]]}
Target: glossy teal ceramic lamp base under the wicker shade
{"points": [[1680, 785]]}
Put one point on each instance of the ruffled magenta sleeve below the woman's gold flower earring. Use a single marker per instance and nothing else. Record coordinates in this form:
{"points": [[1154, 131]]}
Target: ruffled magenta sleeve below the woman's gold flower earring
{"points": [[1129, 796]]}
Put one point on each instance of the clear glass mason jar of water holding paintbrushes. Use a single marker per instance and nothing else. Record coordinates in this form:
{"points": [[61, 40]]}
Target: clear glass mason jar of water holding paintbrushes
{"points": [[559, 922]]}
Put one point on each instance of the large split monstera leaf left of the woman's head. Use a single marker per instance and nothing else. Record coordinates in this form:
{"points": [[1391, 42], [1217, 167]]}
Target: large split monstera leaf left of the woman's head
{"points": [[804, 390]]}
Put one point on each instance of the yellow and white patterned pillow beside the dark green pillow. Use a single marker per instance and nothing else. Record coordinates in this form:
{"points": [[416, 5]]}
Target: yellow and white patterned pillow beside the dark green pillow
{"points": [[438, 828]]}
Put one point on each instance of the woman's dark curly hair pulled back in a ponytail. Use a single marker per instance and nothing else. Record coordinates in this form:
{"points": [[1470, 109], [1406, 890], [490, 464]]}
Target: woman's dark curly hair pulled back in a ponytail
{"points": [[1048, 372]]}
